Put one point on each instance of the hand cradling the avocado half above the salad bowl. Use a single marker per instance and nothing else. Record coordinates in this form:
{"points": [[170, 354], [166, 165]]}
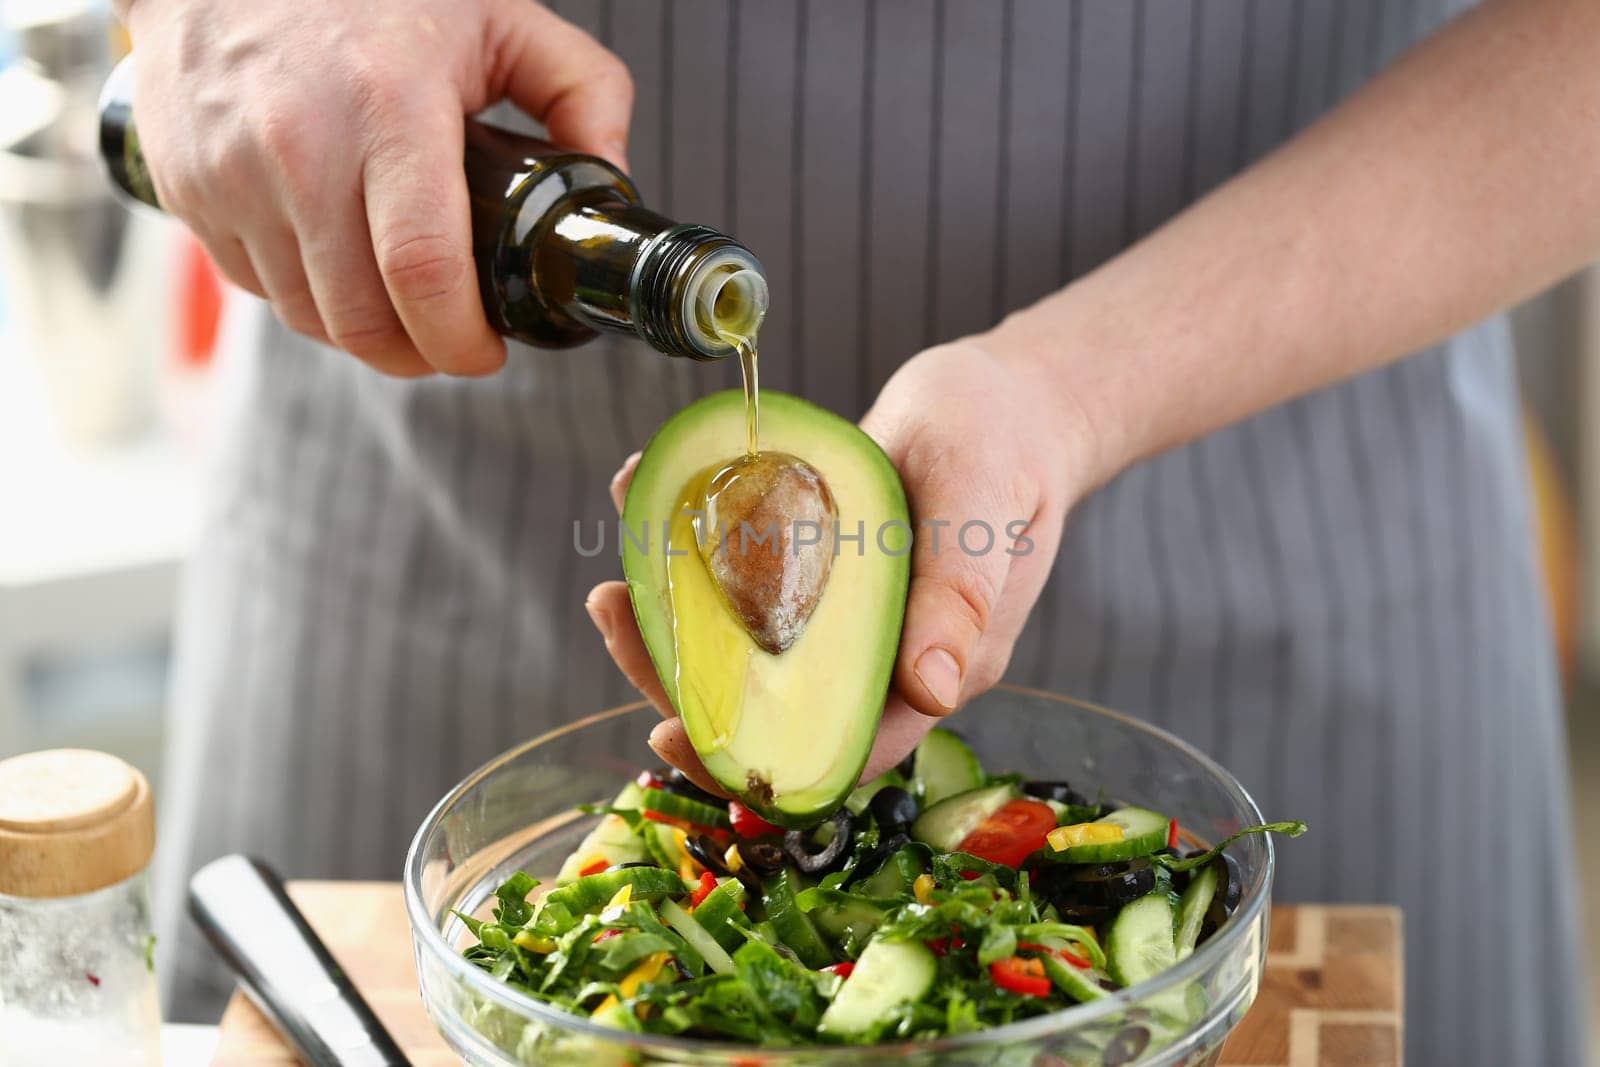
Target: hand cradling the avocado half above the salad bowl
{"points": [[977, 447]]}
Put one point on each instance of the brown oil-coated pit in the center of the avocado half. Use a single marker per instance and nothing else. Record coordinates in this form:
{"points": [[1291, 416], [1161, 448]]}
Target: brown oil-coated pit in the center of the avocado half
{"points": [[767, 541]]}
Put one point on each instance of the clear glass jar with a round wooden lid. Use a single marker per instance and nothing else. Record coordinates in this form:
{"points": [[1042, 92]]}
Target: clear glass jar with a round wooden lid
{"points": [[78, 977]]}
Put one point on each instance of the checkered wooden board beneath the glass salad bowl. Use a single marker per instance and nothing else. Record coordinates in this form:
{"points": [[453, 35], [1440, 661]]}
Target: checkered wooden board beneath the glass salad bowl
{"points": [[1330, 997]]}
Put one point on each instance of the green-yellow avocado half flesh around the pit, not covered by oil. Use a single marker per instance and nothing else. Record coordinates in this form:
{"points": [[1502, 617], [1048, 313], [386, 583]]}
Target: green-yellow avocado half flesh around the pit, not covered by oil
{"points": [[849, 689]]}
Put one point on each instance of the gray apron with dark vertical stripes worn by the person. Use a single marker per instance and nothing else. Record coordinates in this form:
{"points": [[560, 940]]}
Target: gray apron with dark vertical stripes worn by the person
{"points": [[1335, 599]]}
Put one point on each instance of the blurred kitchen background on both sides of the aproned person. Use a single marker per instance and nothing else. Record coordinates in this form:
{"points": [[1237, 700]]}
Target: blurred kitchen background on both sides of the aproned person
{"points": [[108, 326]]}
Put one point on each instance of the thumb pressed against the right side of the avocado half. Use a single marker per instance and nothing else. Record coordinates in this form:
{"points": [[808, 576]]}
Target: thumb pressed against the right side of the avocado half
{"points": [[959, 572]]}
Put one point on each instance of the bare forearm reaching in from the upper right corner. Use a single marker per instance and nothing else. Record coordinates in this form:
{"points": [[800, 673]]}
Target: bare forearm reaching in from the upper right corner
{"points": [[1460, 182]]}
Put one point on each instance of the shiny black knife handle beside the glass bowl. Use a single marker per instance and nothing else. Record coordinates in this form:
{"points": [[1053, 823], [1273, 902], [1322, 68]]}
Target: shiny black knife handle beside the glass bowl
{"points": [[286, 969]]}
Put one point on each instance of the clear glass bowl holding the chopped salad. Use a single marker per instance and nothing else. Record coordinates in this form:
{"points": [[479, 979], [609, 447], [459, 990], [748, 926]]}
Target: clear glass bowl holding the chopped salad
{"points": [[518, 813]]}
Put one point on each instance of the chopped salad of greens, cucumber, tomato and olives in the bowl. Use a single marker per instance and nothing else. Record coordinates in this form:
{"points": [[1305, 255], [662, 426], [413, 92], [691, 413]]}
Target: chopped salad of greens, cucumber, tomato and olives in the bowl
{"points": [[940, 900]]}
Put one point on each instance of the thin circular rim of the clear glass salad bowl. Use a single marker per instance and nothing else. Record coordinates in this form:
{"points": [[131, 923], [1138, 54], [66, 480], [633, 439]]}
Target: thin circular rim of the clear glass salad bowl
{"points": [[428, 935]]}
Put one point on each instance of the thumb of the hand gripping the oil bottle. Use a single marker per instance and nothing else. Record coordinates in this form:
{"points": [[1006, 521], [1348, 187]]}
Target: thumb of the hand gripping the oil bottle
{"points": [[566, 79]]}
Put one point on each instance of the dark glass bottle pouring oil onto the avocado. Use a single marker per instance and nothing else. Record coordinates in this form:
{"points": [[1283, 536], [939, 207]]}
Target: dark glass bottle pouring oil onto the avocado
{"points": [[562, 242]]}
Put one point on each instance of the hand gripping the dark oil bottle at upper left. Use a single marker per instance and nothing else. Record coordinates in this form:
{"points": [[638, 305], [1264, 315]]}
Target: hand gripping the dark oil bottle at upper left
{"points": [[316, 151]]}
